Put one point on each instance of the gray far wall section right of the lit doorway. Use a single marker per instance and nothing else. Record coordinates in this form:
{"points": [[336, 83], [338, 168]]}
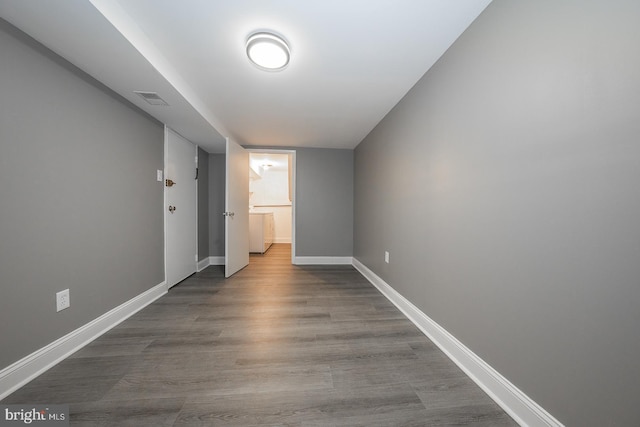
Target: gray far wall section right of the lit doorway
{"points": [[324, 202]]}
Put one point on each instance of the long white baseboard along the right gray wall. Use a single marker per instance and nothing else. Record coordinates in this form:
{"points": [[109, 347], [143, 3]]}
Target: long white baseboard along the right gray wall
{"points": [[518, 405]]}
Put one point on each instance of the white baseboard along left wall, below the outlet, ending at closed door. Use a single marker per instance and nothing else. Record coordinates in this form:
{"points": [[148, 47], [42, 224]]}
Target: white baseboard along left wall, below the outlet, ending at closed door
{"points": [[26, 369]]}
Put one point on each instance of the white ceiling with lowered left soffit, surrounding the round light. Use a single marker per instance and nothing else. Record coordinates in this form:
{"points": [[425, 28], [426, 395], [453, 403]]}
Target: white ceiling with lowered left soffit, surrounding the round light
{"points": [[351, 60]]}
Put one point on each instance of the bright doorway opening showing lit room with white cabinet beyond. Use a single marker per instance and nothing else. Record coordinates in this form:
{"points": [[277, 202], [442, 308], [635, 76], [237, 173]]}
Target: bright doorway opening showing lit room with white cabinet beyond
{"points": [[271, 199]]}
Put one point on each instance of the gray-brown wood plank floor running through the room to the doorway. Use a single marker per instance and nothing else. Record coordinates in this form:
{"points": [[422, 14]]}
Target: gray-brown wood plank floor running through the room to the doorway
{"points": [[275, 345]]}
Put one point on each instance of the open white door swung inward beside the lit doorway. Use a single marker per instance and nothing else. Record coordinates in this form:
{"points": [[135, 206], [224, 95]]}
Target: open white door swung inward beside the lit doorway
{"points": [[236, 239]]}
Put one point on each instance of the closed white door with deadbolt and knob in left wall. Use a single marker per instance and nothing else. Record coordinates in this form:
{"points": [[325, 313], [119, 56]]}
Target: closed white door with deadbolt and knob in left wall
{"points": [[180, 208]]}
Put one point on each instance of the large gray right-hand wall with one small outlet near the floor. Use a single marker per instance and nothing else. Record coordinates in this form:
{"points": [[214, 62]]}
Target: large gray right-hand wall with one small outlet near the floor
{"points": [[505, 186]]}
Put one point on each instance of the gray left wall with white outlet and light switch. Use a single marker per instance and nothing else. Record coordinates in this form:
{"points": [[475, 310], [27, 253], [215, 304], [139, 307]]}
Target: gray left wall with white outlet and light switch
{"points": [[81, 207]]}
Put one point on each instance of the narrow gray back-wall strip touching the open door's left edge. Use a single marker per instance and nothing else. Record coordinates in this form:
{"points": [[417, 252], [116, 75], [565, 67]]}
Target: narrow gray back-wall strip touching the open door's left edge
{"points": [[217, 168]]}
